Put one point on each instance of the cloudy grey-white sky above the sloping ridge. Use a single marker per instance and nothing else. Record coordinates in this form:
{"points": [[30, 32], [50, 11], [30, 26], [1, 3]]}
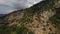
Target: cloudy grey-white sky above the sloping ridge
{"points": [[7, 6]]}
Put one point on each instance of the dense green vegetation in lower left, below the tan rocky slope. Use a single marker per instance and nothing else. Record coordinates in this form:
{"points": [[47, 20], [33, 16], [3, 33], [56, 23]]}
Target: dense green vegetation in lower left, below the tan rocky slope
{"points": [[5, 29]]}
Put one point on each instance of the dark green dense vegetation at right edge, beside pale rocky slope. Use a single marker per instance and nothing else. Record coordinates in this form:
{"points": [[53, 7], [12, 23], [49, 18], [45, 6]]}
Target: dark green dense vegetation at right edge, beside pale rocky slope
{"points": [[56, 18]]}
